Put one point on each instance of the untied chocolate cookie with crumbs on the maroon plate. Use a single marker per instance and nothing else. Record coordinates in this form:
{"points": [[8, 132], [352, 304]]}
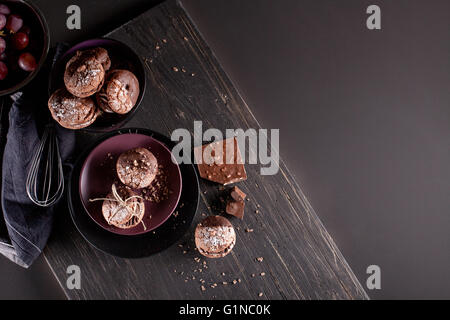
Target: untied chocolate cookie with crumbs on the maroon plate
{"points": [[137, 168]]}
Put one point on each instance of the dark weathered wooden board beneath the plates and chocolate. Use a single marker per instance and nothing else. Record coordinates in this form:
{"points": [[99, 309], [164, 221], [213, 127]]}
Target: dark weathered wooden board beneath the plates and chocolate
{"points": [[301, 260]]}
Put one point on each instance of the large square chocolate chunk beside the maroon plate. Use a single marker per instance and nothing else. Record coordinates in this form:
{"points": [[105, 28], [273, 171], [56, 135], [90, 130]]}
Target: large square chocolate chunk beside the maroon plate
{"points": [[220, 162]]}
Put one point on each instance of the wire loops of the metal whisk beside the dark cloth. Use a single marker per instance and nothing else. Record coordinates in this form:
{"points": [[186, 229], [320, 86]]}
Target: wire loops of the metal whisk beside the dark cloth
{"points": [[45, 178]]}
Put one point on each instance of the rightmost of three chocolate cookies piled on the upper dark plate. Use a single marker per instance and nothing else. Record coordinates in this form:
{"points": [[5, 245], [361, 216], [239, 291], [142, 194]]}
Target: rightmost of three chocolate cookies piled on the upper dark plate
{"points": [[120, 92]]}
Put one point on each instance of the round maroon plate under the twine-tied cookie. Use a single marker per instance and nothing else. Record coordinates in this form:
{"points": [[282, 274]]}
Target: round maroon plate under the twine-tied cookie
{"points": [[98, 174]]}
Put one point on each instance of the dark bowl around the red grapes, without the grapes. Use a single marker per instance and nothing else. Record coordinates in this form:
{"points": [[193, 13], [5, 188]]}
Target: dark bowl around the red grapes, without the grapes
{"points": [[39, 45]]}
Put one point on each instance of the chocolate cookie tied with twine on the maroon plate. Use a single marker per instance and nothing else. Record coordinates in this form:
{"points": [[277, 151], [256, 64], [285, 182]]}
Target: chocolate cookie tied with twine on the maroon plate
{"points": [[123, 209]]}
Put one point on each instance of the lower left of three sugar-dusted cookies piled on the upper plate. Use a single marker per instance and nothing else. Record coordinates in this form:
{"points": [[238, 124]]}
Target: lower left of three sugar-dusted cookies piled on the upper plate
{"points": [[72, 112]]}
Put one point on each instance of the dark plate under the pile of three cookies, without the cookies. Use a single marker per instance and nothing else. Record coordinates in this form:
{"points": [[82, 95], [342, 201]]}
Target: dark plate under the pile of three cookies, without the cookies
{"points": [[122, 57]]}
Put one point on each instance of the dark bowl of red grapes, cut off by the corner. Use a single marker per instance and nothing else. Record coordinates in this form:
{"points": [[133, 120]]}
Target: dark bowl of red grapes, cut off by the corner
{"points": [[24, 44]]}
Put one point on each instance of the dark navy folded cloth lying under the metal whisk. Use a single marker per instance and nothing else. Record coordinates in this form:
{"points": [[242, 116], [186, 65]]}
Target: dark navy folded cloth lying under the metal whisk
{"points": [[28, 226]]}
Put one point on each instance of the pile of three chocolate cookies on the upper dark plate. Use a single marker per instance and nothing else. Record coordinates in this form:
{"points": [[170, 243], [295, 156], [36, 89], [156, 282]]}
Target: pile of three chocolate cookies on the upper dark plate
{"points": [[91, 87]]}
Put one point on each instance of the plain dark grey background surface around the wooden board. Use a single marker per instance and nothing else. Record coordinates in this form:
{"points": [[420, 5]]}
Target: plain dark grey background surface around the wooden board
{"points": [[364, 118]]}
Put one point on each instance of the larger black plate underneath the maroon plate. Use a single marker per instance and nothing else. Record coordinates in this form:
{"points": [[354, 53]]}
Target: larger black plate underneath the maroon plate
{"points": [[143, 245]]}
